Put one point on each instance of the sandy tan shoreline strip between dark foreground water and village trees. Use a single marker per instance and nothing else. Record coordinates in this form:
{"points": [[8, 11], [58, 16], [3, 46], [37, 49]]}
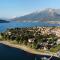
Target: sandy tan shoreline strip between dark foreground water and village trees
{"points": [[27, 49]]}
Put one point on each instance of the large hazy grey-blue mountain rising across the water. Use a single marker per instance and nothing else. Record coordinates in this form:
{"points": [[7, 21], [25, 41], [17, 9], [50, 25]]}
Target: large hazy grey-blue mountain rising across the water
{"points": [[44, 15]]}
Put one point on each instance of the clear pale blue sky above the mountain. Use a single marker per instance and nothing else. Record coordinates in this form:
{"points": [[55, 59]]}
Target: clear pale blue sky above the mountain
{"points": [[12, 8]]}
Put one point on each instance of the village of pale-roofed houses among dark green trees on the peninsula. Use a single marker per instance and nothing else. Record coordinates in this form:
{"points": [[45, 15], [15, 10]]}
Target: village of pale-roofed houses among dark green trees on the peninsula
{"points": [[41, 38]]}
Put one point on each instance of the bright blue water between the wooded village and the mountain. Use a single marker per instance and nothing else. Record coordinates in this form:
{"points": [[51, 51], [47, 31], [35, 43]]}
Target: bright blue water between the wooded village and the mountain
{"points": [[14, 24]]}
